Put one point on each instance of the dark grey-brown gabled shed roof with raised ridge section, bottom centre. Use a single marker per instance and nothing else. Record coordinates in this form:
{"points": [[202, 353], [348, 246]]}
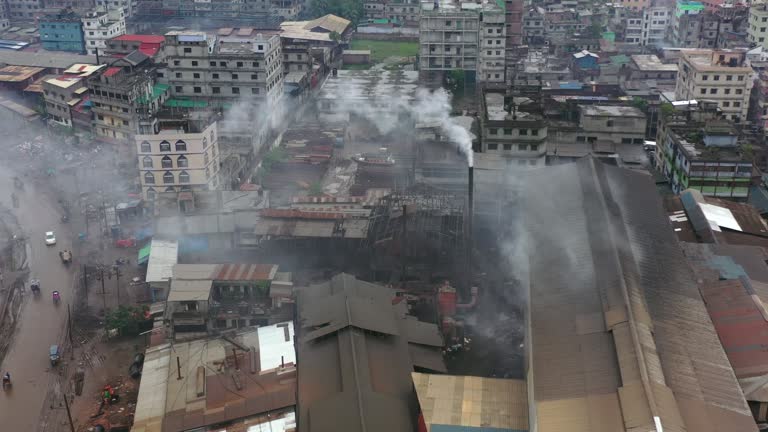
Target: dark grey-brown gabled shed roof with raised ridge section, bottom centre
{"points": [[352, 379]]}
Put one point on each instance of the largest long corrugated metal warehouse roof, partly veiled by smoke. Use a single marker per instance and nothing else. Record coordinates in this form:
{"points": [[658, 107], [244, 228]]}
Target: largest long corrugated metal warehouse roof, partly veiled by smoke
{"points": [[613, 257]]}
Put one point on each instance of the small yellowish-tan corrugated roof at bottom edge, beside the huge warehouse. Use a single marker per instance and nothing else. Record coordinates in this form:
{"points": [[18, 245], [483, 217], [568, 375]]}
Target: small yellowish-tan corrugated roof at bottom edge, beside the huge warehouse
{"points": [[472, 404]]}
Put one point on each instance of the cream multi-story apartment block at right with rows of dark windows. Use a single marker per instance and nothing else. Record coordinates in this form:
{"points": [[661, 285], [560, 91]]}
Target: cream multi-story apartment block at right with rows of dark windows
{"points": [[716, 75]]}
